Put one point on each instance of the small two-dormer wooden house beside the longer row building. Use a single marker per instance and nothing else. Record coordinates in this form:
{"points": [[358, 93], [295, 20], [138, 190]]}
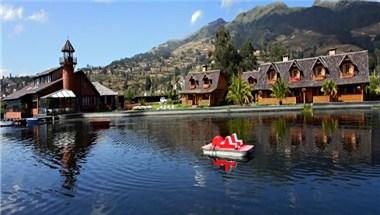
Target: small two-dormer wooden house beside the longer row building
{"points": [[207, 88]]}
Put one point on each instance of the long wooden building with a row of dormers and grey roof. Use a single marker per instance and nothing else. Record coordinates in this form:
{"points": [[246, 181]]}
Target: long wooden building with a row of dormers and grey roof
{"points": [[305, 77]]}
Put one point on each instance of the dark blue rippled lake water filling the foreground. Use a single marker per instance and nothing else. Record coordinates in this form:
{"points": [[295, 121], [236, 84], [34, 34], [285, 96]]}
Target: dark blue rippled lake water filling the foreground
{"points": [[328, 163]]}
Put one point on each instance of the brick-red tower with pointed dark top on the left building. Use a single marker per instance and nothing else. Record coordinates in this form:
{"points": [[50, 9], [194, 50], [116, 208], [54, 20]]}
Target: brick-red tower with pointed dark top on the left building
{"points": [[68, 61]]}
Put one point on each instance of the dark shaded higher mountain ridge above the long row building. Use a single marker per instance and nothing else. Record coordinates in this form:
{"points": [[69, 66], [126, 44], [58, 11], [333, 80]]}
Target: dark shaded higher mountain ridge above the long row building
{"points": [[346, 24]]}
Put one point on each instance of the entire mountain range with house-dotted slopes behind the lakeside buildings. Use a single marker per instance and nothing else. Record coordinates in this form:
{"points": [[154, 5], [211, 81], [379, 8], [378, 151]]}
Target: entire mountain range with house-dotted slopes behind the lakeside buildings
{"points": [[302, 31]]}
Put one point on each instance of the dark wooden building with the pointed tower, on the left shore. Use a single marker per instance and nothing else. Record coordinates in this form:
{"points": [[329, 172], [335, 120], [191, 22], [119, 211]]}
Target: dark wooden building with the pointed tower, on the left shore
{"points": [[57, 90]]}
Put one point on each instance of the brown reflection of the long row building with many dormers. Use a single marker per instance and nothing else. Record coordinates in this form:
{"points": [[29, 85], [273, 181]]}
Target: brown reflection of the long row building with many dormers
{"points": [[334, 134]]}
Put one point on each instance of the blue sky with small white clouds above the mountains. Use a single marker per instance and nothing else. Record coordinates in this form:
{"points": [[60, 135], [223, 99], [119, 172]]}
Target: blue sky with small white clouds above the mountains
{"points": [[33, 32]]}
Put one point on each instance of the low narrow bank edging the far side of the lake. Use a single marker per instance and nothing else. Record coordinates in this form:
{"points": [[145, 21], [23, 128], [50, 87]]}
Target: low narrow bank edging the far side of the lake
{"points": [[223, 109]]}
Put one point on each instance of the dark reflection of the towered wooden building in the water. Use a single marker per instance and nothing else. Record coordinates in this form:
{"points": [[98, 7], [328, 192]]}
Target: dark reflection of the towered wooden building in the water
{"points": [[66, 145]]}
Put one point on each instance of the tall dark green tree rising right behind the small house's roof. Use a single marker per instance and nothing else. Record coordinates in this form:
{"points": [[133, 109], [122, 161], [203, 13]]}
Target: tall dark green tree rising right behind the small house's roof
{"points": [[225, 55]]}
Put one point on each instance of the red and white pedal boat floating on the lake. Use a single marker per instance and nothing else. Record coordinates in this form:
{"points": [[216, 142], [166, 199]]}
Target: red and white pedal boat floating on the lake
{"points": [[229, 147]]}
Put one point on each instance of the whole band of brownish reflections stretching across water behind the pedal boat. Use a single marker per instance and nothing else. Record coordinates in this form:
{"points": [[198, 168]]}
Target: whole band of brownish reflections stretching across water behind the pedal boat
{"points": [[336, 135]]}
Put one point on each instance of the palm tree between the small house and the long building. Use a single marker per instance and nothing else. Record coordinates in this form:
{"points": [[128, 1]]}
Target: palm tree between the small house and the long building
{"points": [[239, 92]]}
